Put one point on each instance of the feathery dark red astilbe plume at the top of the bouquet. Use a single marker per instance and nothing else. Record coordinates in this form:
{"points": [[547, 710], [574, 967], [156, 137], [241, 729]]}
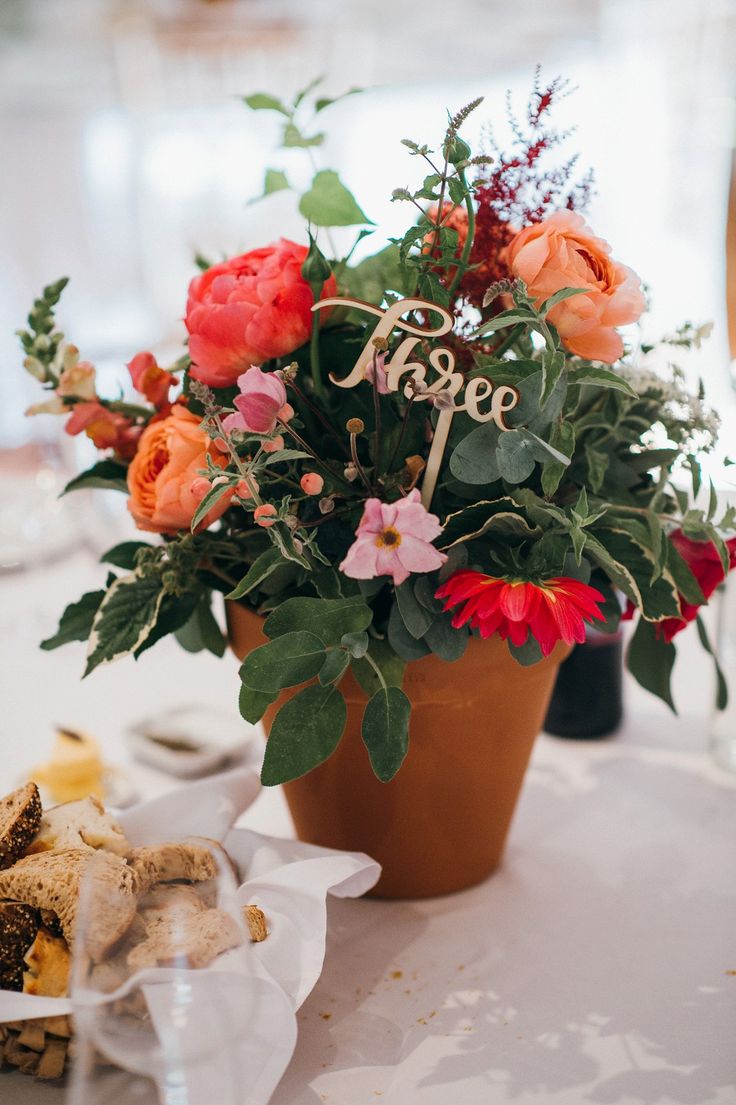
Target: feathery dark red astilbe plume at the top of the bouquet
{"points": [[520, 192]]}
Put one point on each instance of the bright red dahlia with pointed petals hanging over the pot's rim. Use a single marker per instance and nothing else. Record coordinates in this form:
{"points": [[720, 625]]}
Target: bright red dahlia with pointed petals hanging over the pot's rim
{"points": [[553, 611]]}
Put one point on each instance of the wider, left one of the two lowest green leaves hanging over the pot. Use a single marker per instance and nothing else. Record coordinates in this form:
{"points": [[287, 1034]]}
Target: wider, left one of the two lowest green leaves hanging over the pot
{"points": [[306, 732]]}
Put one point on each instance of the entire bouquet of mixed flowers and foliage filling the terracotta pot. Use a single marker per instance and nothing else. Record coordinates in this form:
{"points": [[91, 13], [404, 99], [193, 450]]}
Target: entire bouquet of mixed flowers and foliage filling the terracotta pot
{"points": [[378, 497]]}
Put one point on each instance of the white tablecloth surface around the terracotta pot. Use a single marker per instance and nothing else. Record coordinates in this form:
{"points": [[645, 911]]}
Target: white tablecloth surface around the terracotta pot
{"points": [[597, 965]]}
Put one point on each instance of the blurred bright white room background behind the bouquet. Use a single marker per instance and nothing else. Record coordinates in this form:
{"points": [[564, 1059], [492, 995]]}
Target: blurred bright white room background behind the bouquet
{"points": [[127, 149]]}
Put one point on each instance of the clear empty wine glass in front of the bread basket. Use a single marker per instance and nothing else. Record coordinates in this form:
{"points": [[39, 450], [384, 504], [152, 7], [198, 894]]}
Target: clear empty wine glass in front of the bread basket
{"points": [[161, 1005]]}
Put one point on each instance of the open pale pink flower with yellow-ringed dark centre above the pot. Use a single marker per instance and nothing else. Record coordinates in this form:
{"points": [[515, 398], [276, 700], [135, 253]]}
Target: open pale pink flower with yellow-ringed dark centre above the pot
{"points": [[394, 540]]}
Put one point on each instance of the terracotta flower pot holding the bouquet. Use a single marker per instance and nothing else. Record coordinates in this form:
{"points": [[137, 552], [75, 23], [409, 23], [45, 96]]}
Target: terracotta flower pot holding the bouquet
{"points": [[441, 824]]}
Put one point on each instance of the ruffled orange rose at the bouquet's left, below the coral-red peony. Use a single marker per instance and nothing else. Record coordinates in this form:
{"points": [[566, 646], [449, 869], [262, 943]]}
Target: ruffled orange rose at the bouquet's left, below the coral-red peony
{"points": [[164, 479]]}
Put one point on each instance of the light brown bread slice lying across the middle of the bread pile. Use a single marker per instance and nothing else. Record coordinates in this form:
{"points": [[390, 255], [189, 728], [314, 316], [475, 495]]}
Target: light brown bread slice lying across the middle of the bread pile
{"points": [[54, 881]]}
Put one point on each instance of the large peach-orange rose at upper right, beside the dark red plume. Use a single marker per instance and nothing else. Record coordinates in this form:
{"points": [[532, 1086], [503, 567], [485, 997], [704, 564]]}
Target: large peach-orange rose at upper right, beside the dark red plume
{"points": [[562, 252]]}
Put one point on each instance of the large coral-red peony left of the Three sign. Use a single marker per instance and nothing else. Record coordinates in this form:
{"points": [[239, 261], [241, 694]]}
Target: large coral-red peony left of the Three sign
{"points": [[249, 310]]}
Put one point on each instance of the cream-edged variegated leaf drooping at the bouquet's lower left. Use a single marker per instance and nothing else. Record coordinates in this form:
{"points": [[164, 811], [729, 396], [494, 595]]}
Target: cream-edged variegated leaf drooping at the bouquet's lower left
{"points": [[127, 616]]}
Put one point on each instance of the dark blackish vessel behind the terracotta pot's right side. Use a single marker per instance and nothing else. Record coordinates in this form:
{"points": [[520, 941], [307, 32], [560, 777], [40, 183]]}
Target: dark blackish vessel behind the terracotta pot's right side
{"points": [[587, 701]]}
